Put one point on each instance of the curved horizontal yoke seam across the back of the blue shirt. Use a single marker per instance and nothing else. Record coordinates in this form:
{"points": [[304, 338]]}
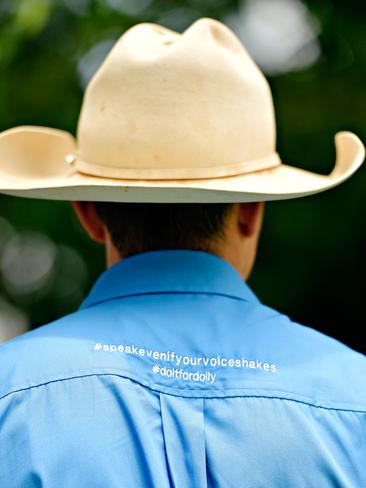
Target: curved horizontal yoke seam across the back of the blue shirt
{"points": [[244, 395]]}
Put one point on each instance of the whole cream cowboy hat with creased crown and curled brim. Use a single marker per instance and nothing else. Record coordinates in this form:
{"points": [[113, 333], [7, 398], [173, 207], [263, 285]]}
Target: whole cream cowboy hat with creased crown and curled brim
{"points": [[168, 117]]}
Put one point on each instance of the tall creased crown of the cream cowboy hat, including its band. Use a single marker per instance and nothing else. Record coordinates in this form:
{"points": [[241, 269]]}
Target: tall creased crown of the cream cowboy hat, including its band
{"points": [[165, 105]]}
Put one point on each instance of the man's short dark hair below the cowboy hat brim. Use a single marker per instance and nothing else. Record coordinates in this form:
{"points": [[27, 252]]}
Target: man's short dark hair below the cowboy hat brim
{"points": [[140, 227]]}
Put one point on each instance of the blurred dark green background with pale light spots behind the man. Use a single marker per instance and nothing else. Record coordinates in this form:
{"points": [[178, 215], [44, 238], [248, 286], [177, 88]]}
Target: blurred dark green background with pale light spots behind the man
{"points": [[311, 262]]}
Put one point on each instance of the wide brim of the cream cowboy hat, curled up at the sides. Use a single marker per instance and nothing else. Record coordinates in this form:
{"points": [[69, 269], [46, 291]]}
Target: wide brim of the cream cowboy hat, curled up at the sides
{"points": [[33, 164]]}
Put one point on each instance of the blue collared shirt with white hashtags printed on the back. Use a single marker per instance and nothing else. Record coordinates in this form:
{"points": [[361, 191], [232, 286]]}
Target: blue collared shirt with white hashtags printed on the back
{"points": [[173, 374]]}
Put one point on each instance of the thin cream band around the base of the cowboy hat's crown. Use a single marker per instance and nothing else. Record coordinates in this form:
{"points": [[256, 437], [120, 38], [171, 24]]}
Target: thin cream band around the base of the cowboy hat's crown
{"points": [[104, 171]]}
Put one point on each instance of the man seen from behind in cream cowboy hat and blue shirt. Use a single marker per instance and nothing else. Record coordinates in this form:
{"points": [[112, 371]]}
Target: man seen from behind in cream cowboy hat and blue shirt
{"points": [[172, 373]]}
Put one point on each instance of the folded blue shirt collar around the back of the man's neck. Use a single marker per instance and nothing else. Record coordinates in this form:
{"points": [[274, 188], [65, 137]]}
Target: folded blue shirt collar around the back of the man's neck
{"points": [[169, 271]]}
